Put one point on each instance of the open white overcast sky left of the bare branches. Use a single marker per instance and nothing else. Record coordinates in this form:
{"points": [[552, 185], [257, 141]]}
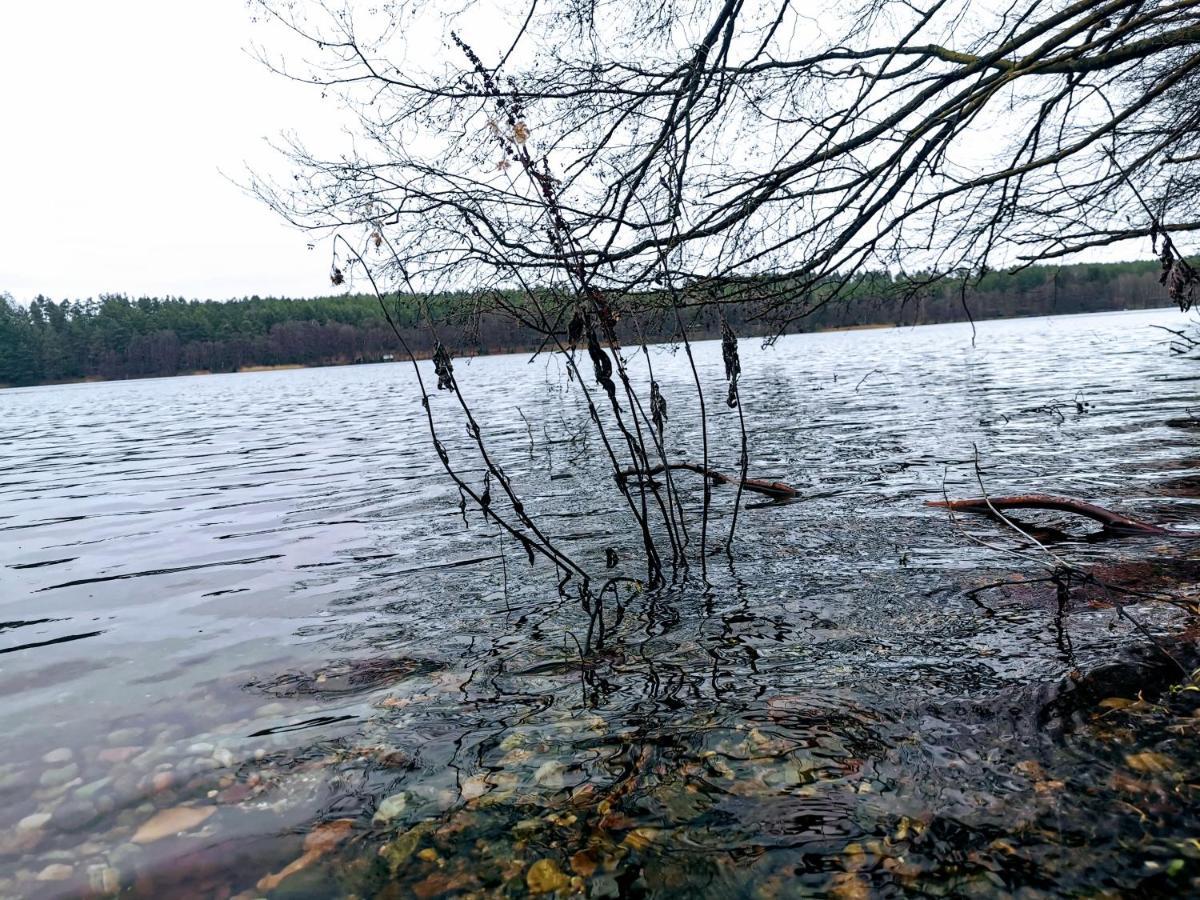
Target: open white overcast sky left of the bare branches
{"points": [[119, 119]]}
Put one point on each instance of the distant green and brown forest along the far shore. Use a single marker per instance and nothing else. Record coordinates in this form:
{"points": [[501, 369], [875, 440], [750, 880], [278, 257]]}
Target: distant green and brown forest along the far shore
{"points": [[116, 337]]}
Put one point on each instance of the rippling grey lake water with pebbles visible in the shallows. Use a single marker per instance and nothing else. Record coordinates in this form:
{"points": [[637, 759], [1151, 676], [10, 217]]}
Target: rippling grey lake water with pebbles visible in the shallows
{"points": [[248, 645]]}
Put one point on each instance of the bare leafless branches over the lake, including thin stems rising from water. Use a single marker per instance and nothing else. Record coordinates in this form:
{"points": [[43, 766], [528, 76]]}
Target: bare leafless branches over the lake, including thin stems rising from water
{"points": [[579, 163]]}
